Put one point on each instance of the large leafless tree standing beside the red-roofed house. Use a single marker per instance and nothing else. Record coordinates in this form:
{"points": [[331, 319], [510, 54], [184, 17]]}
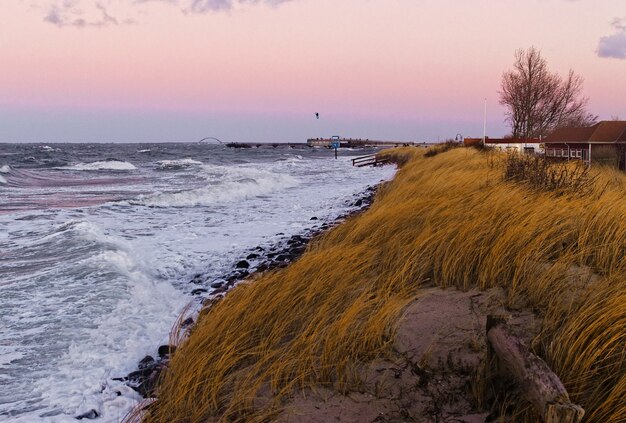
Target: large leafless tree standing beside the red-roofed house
{"points": [[539, 101]]}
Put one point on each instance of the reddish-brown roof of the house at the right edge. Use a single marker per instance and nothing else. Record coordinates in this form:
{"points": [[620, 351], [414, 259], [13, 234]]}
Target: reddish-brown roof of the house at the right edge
{"points": [[602, 132]]}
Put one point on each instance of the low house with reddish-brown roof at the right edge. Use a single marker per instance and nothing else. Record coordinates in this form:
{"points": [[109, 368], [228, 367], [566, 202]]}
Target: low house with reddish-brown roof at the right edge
{"points": [[603, 143]]}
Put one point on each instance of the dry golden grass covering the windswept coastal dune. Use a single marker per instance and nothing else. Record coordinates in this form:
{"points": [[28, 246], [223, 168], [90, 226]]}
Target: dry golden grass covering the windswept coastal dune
{"points": [[450, 220]]}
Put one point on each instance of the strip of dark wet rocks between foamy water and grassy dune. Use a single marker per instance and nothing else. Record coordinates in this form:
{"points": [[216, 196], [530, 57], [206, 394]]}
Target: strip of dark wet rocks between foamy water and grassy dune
{"points": [[145, 379]]}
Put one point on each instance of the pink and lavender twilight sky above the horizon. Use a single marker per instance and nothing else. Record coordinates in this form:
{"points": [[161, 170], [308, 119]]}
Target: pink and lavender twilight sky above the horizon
{"points": [[259, 70]]}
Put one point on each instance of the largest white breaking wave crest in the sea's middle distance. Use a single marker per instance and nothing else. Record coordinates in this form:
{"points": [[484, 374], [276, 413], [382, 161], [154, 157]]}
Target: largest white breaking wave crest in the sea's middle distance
{"points": [[226, 184]]}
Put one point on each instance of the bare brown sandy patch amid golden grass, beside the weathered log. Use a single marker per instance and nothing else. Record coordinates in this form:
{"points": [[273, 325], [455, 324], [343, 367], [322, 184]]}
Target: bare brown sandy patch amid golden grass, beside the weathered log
{"points": [[431, 376]]}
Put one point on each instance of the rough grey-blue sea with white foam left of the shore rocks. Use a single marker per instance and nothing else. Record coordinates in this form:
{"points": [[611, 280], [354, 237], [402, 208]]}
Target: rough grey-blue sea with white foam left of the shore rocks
{"points": [[99, 242]]}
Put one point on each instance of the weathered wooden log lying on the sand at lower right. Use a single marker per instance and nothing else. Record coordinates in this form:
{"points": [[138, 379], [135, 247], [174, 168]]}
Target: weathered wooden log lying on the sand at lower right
{"points": [[531, 375]]}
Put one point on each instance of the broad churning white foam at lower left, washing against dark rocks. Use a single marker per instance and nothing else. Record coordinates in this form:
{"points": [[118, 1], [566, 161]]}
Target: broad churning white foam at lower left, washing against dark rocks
{"points": [[108, 343]]}
